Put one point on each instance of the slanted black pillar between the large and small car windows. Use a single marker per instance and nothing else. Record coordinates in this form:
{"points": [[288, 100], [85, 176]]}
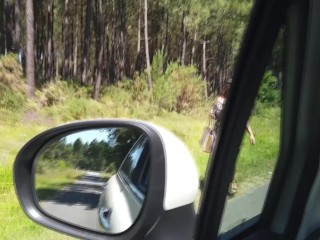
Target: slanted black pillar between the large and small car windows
{"points": [[266, 20]]}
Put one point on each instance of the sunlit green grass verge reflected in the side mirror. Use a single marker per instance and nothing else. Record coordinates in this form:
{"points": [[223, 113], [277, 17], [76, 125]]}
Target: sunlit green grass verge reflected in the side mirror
{"points": [[53, 180]]}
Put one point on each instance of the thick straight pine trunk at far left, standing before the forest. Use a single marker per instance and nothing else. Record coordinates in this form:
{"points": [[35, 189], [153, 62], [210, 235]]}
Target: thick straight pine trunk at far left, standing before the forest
{"points": [[30, 48]]}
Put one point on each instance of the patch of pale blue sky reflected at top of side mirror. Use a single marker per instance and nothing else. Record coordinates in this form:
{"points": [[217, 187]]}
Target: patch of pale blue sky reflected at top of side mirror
{"points": [[88, 136]]}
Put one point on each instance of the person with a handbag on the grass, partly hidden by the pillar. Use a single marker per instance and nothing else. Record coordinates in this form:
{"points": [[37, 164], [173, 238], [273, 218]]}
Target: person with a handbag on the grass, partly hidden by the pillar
{"points": [[216, 113]]}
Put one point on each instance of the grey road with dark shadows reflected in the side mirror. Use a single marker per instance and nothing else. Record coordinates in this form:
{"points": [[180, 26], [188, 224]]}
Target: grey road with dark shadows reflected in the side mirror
{"points": [[77, 203]]}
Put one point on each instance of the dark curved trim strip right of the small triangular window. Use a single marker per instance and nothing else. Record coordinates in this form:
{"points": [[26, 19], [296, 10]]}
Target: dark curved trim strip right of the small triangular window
{"points": [[296, 36]]}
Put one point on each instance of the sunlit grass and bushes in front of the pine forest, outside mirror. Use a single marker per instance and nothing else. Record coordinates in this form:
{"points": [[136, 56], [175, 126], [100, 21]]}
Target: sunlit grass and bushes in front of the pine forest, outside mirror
{"points": [[176, 103]]}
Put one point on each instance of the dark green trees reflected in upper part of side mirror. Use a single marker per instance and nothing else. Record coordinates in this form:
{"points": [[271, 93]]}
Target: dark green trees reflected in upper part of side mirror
{"points": [[98, 154]]}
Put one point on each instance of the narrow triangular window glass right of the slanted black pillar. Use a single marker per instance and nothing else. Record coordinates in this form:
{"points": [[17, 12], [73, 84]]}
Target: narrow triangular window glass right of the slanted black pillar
{"points": [[259, 149]]}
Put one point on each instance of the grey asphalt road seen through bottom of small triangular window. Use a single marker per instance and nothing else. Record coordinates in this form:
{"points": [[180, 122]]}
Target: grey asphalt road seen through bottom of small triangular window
{"points": [[243, 208]]}
